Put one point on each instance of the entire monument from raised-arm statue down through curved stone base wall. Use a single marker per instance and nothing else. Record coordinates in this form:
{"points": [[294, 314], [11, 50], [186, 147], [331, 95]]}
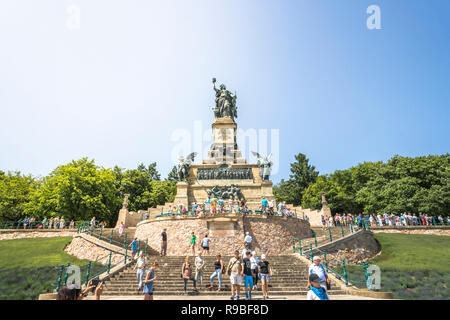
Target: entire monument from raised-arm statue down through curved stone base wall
{"points": [[223, 174]]}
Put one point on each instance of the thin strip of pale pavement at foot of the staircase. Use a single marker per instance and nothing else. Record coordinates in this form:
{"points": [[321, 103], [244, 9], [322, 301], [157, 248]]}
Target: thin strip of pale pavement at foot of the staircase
{"points": [[334, 297]]}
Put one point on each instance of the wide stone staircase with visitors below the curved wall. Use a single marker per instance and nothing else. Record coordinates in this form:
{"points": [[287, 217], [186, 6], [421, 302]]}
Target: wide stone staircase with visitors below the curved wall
{"points": [[289, 278]]}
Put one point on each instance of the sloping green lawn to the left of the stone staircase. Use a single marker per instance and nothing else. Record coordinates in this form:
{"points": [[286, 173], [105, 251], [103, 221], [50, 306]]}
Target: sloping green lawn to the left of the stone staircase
{"points": [[29, 267]]}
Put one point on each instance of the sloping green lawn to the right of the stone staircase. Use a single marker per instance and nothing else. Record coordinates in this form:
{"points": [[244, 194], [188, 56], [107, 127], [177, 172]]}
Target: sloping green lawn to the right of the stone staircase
{"points": [[412, 266]]}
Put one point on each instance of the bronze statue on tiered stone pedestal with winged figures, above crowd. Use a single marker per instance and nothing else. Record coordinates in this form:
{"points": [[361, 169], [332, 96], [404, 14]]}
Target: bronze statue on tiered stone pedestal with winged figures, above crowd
{"points": [[224, 172]]}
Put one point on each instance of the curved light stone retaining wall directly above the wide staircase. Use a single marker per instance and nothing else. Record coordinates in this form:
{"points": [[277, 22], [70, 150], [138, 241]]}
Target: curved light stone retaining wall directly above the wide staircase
{"points": [[271, 235]]}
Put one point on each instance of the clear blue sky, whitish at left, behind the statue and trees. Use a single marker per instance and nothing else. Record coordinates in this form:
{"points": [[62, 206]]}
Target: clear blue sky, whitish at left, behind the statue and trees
{"points": [[136, 71]]}
